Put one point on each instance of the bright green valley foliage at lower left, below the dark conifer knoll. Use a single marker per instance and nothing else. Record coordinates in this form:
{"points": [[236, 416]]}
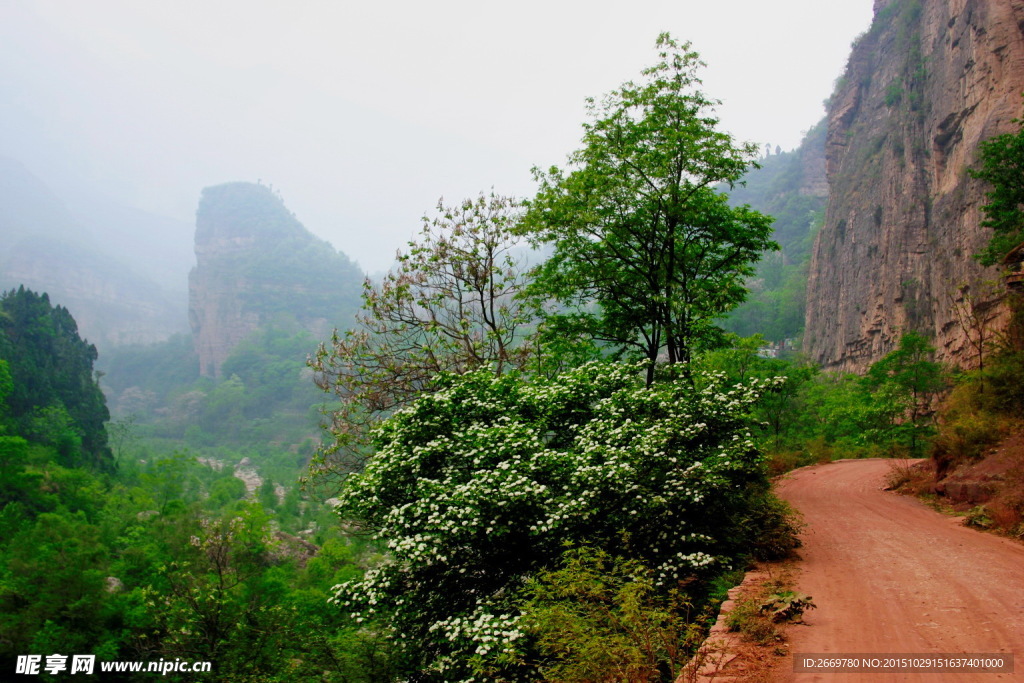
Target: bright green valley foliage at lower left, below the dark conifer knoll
{"points": [[146, 566]]}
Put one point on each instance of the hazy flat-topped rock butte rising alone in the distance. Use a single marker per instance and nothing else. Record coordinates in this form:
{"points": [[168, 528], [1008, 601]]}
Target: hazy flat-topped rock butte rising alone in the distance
{"points": [[259, 267]]}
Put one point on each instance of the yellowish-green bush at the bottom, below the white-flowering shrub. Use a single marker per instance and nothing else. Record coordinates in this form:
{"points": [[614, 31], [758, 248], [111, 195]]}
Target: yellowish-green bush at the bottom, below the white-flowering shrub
{"points": [[599, 619]]}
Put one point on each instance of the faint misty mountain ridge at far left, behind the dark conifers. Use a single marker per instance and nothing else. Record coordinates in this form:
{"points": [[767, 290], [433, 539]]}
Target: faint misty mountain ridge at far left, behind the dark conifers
{"points": [[49, 248]]}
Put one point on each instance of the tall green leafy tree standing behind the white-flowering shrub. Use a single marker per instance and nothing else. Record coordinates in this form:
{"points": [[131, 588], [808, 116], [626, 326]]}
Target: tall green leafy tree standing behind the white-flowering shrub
{"points": [[637, 227]]}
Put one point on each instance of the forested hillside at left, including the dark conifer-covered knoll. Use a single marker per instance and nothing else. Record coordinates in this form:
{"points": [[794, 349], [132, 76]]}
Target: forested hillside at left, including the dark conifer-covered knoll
{"points": [[138, 556]]}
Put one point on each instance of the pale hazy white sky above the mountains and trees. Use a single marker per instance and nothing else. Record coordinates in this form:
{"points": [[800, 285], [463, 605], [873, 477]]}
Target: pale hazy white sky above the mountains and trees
{"points": [[363, 115]]}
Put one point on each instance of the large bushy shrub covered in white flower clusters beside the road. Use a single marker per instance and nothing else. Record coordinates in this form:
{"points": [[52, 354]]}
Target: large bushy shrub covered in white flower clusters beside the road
{"points": [[477, 488]]}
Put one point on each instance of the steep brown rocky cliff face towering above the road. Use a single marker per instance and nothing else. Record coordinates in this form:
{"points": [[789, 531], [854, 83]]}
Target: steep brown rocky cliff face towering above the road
{"points": [[923, 88]]}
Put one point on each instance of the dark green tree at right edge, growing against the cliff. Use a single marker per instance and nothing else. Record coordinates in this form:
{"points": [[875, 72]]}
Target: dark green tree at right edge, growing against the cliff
{"points": [[1003, 166]]}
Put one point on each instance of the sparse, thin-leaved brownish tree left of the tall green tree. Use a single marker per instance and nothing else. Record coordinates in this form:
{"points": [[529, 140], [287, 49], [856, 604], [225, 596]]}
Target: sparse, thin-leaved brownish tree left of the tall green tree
{"points": [[450, 306]]}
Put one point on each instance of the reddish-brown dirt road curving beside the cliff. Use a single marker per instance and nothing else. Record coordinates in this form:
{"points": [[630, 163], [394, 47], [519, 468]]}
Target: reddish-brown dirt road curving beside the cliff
{"points": [[891, 576]]}
